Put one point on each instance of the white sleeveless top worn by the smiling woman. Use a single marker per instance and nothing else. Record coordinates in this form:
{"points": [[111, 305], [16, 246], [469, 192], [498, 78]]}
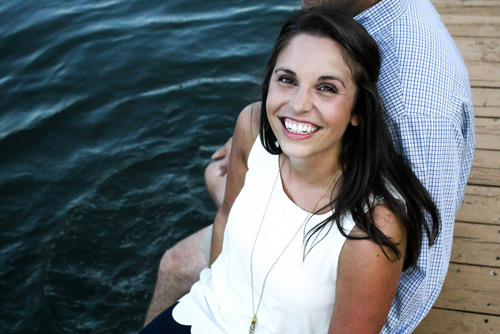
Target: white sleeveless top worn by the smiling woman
{"points": [[299, 294]]}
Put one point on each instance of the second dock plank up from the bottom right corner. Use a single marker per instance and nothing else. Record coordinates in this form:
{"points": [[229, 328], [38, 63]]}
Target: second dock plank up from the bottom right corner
{"points": [[472, 289]]}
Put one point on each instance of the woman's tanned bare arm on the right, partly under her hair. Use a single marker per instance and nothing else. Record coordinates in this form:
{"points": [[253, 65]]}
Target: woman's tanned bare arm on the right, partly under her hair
{"points": [[366, 279]]}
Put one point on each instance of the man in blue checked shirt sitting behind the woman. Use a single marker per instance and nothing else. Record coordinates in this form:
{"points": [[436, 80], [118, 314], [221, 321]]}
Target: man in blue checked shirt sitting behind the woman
{"points": [[427, 100]]}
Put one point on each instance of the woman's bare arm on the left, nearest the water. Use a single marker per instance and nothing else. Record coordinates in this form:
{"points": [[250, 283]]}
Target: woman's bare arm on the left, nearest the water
{"points": [[245, 133]]}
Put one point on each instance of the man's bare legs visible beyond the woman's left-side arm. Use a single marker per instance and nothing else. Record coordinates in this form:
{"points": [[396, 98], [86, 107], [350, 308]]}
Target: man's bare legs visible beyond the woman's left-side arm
{"points": [[181, 265]]}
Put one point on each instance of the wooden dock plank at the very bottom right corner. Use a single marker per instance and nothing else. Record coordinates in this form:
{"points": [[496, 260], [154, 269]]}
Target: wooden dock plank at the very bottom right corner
{"points": [[445, 321]]}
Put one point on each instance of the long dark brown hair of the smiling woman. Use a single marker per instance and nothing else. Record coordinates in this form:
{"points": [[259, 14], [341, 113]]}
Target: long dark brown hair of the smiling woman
{"points": [[370, 164]]}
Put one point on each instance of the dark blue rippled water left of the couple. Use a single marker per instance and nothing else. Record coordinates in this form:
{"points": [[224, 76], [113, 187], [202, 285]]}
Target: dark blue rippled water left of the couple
{"points": [[109, 112]]}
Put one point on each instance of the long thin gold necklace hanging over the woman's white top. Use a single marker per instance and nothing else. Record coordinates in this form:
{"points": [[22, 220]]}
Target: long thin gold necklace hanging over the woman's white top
{"points": [[255, 310]]}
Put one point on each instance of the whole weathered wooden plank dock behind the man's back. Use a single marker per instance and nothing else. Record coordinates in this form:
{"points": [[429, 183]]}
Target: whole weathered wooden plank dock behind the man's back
{"points": [[470, 299]]}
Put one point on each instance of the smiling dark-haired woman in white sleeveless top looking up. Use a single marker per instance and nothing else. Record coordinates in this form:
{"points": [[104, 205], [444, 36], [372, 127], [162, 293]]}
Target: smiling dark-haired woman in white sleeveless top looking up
{"points": [[320, 214]]}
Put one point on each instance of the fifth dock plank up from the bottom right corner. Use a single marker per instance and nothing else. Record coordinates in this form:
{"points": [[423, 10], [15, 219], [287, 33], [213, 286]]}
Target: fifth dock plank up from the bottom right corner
{"points": [[485, 168]]}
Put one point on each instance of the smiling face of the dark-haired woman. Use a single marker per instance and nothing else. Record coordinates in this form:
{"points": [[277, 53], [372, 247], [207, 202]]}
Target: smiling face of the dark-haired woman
{"points": [[310, 99]]}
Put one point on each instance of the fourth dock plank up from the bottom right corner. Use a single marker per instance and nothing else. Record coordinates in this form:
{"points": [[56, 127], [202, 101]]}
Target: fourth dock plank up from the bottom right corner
{"points": [[481, 205]]}
